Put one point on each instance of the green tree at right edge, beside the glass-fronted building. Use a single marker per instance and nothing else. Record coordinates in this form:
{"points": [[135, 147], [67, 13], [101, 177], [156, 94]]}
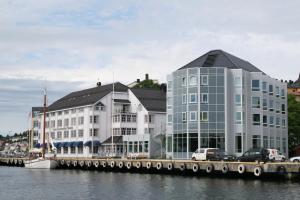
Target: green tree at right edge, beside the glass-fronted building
{"points": [[293, 122]]}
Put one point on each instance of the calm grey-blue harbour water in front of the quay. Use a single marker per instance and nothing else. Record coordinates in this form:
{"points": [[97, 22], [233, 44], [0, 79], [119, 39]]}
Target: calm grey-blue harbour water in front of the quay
{"points": [[21, 183]]}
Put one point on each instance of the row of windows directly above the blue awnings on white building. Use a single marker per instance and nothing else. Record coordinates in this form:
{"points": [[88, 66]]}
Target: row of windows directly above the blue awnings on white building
{"points": [[72, 134]]}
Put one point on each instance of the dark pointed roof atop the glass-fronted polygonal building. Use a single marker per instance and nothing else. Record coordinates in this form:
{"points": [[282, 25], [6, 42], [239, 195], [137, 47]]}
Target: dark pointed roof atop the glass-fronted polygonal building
{"points": [[220, 58]]}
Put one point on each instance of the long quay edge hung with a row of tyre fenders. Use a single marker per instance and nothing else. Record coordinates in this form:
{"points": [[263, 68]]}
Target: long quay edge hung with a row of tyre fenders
{"points": [[288, 169]]}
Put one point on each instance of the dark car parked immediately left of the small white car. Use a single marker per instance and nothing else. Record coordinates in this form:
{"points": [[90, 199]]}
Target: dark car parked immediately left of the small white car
{"points": [[252, 155]]}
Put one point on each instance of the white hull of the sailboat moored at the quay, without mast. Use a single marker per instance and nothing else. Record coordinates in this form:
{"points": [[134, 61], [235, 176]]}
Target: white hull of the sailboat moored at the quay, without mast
{"points": [[41, 163]]}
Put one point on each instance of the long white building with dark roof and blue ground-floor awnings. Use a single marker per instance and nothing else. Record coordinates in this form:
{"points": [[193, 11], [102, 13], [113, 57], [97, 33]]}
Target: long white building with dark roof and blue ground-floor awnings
{"points": [[108, 120]]}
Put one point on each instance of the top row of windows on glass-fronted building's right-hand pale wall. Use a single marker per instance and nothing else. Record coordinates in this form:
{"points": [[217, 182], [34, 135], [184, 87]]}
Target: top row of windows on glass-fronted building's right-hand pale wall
{"points": [[256, 87]]}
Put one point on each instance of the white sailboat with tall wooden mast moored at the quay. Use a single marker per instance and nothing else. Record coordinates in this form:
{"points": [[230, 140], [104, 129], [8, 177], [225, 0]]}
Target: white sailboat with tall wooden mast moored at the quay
{"points": [[39, 159]]}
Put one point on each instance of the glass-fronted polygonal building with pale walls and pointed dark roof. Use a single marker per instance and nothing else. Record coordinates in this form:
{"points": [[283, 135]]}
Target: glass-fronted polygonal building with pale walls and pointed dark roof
{"points": [[221, 101]]}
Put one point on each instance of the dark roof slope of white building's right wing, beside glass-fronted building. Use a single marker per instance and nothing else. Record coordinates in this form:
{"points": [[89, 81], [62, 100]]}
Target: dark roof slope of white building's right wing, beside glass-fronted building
{"points": [[152, 100]]}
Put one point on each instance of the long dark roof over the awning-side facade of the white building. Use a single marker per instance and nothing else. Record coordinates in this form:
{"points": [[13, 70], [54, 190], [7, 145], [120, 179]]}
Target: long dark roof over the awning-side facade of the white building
{"points": [[86, 97]]}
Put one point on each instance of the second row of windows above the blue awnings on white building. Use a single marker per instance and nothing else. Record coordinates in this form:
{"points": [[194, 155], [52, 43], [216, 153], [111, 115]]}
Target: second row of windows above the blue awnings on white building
{"points": [[80, 121]]}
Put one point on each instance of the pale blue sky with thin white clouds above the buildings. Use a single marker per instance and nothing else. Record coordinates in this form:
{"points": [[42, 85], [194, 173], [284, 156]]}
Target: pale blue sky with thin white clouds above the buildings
{"points": [[68, 45]]}
